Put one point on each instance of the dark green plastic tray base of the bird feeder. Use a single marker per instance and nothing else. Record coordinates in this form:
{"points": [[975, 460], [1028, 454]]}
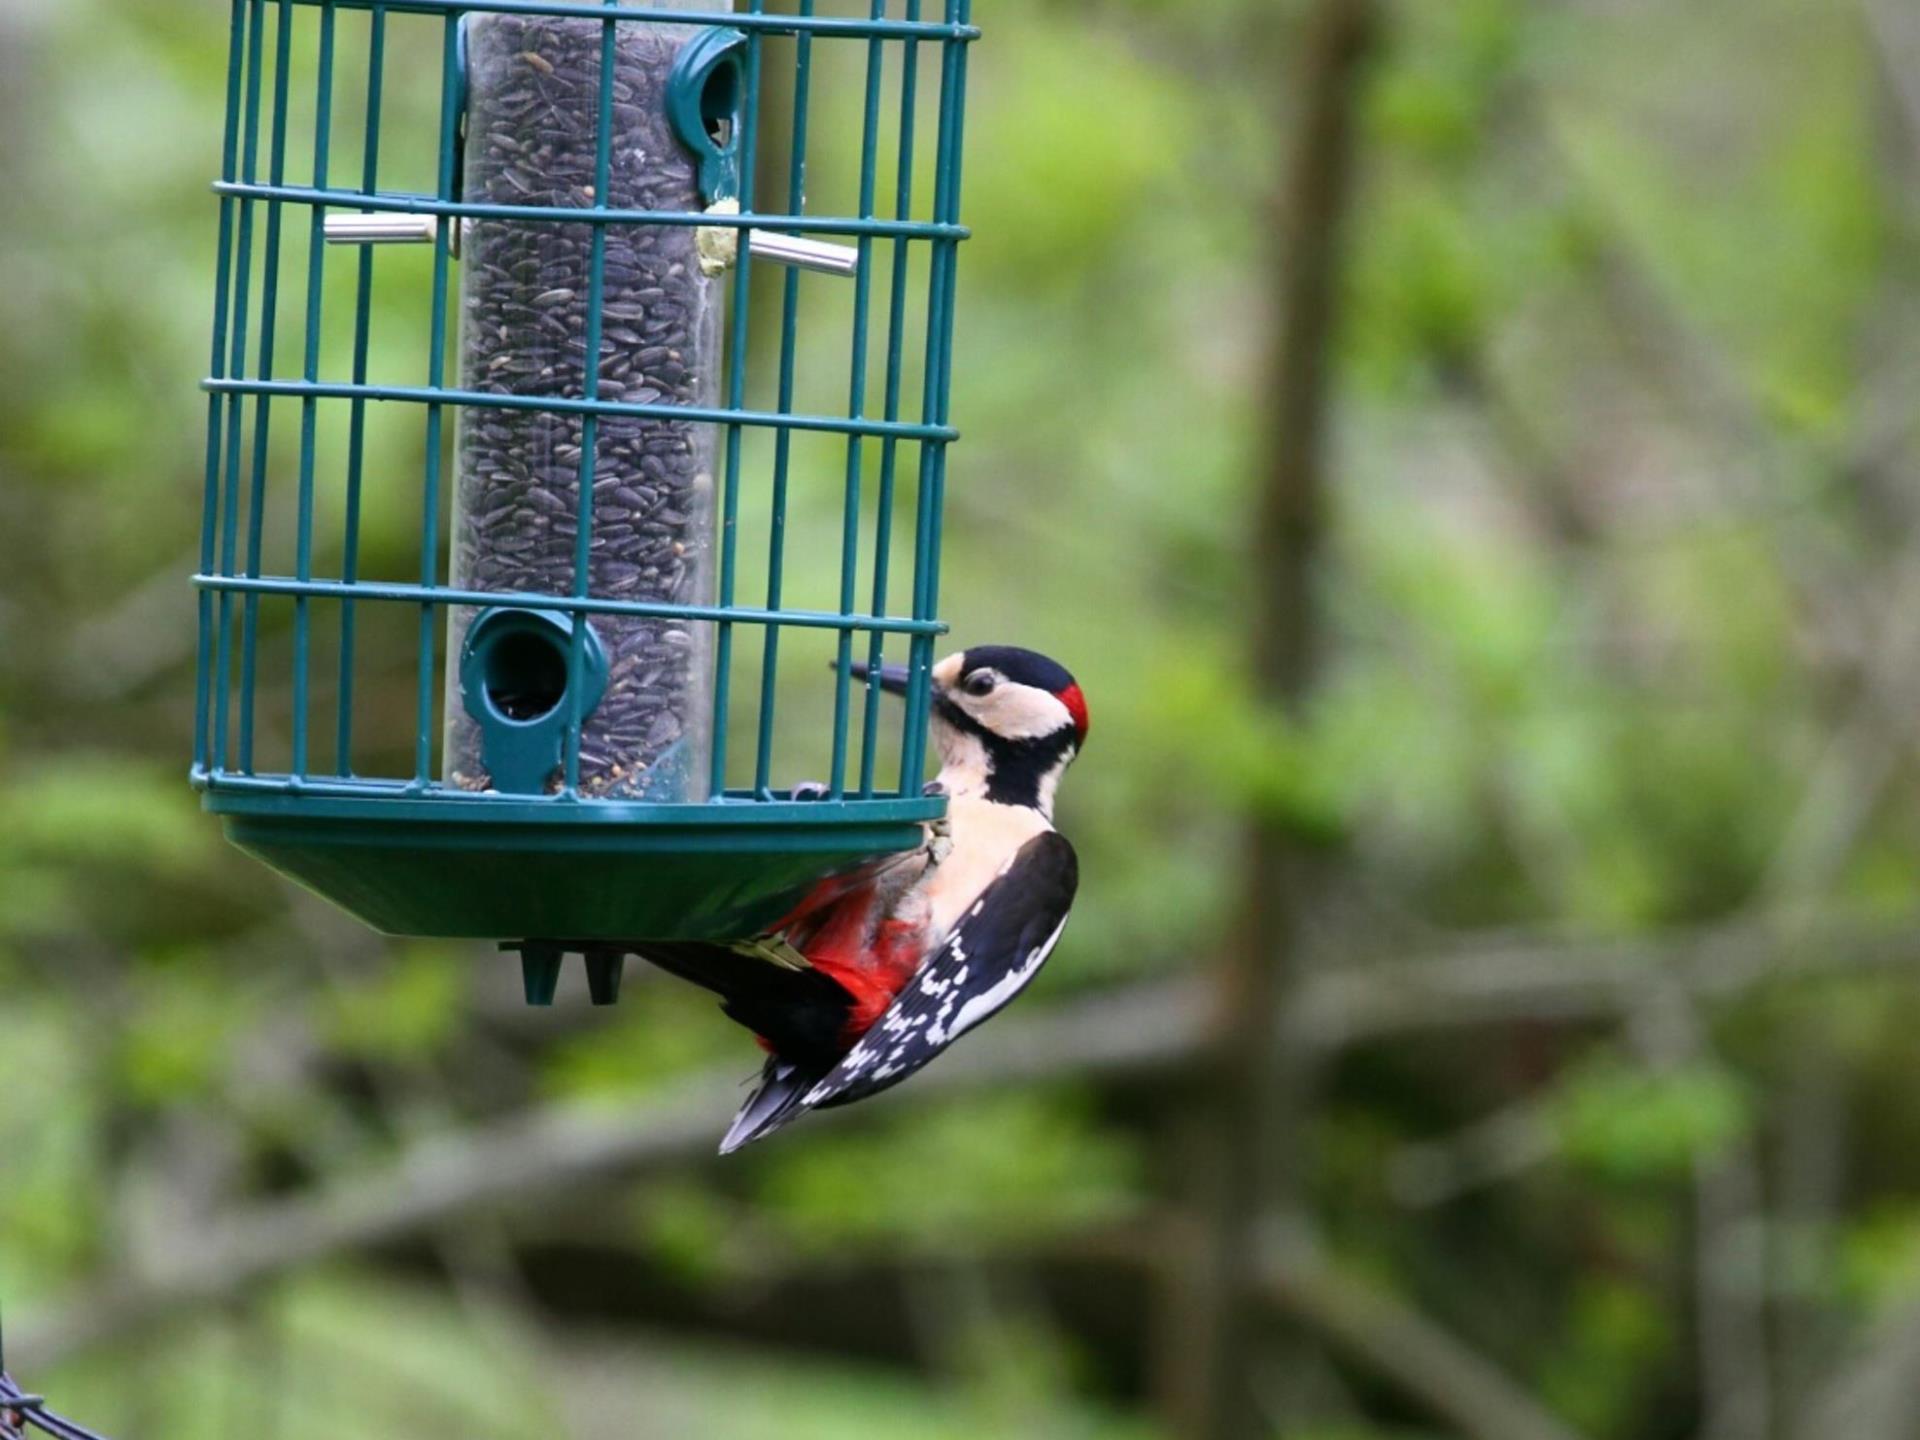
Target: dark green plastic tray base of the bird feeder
{"points": [[550, 871]]}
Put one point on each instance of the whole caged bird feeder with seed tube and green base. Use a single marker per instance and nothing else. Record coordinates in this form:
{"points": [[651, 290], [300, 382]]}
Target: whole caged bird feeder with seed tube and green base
{"points": [[575, 606]]}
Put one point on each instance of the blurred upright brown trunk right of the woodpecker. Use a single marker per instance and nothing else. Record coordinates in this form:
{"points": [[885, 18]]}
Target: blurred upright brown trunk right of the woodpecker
{"points": [[1245, 1124]]}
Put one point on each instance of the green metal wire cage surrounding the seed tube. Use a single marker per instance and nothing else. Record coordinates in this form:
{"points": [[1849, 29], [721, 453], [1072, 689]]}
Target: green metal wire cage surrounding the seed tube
{"points": [[558, 867]]}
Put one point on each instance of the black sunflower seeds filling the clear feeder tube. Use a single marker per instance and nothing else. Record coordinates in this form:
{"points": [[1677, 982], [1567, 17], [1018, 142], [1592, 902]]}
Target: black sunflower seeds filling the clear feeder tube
{"points": [[535, 114]]}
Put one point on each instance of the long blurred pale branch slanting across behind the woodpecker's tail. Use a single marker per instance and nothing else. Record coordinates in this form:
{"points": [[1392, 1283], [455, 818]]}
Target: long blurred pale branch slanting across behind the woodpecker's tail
{"points": [[1141, 1032]]}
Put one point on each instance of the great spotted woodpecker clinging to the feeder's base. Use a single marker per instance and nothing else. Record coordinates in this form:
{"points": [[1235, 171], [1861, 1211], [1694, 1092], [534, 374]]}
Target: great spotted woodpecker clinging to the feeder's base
{"points": [[876, 974]]}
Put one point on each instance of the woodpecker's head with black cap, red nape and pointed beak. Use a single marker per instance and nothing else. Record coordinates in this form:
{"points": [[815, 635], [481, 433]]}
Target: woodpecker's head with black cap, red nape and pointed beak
{"points": [[1007, 723]]}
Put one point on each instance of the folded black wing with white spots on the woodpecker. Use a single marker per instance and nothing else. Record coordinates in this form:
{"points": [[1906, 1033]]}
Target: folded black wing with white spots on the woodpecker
{"points": [[997, 948]]}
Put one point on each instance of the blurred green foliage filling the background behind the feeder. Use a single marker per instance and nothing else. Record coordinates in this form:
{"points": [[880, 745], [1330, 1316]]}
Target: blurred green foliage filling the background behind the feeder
{"points": [[1614, 623]]}
